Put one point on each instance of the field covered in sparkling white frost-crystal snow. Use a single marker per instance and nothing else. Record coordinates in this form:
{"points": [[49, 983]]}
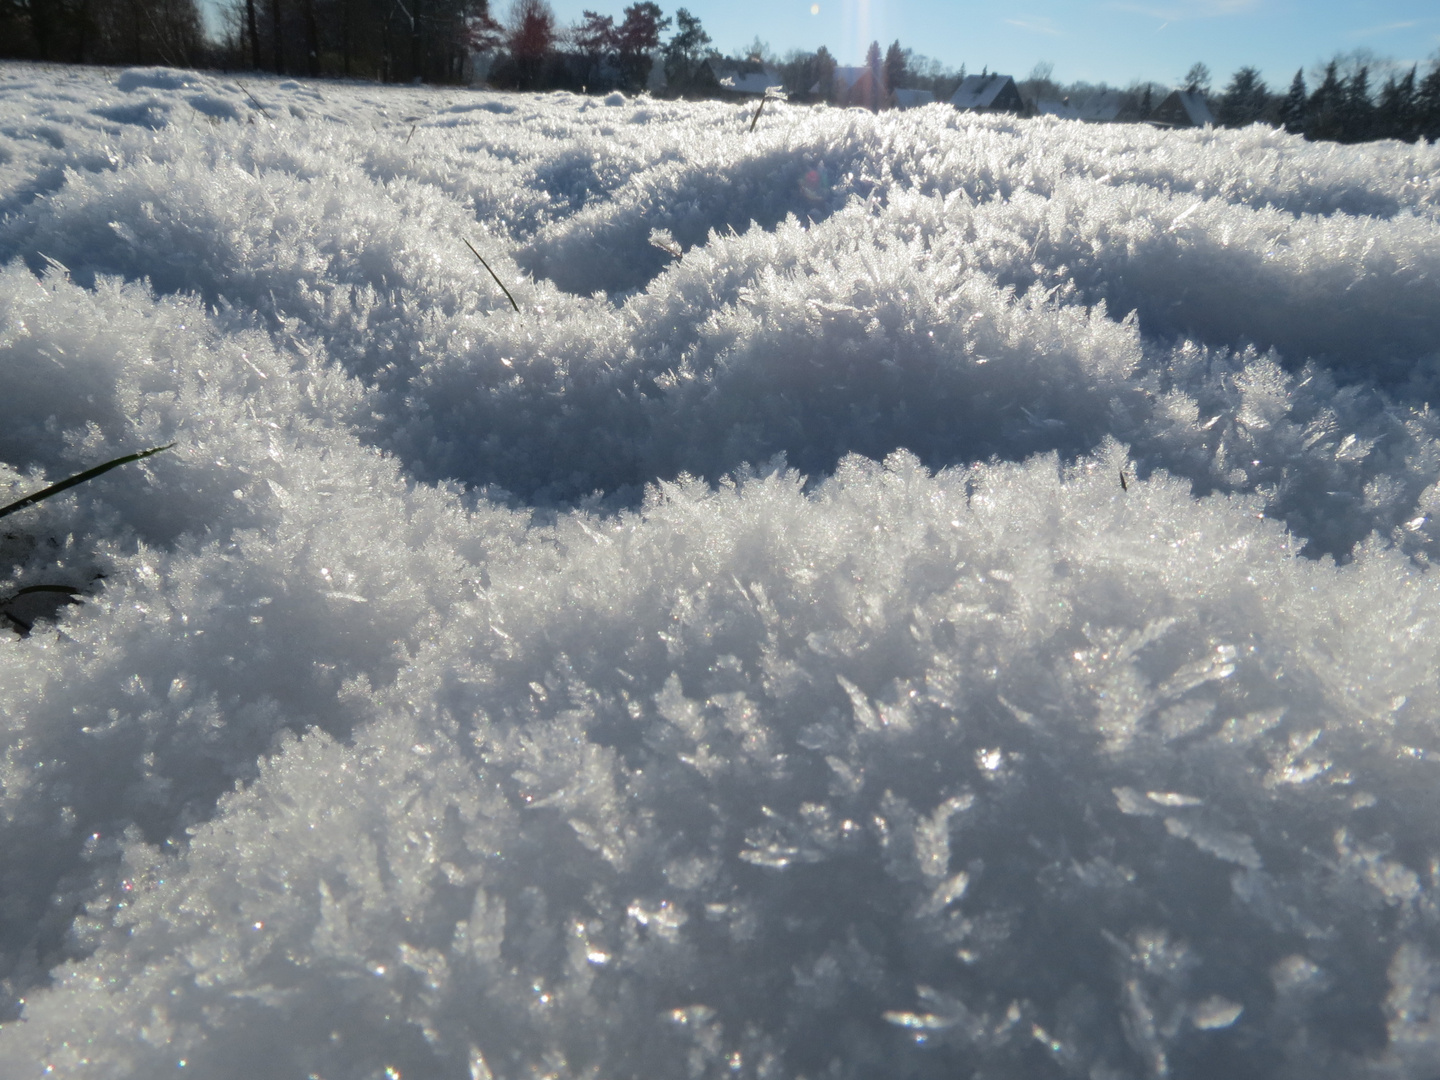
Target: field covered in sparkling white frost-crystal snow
{"points": [[905, 597]]}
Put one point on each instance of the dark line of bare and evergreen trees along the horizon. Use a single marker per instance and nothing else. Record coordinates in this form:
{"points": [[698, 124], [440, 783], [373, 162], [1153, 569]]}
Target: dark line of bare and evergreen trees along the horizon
{"points": [[460, 41]]}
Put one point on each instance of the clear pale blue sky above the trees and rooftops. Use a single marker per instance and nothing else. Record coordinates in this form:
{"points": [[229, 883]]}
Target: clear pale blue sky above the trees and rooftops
{"points": [[1112, 41]]}
